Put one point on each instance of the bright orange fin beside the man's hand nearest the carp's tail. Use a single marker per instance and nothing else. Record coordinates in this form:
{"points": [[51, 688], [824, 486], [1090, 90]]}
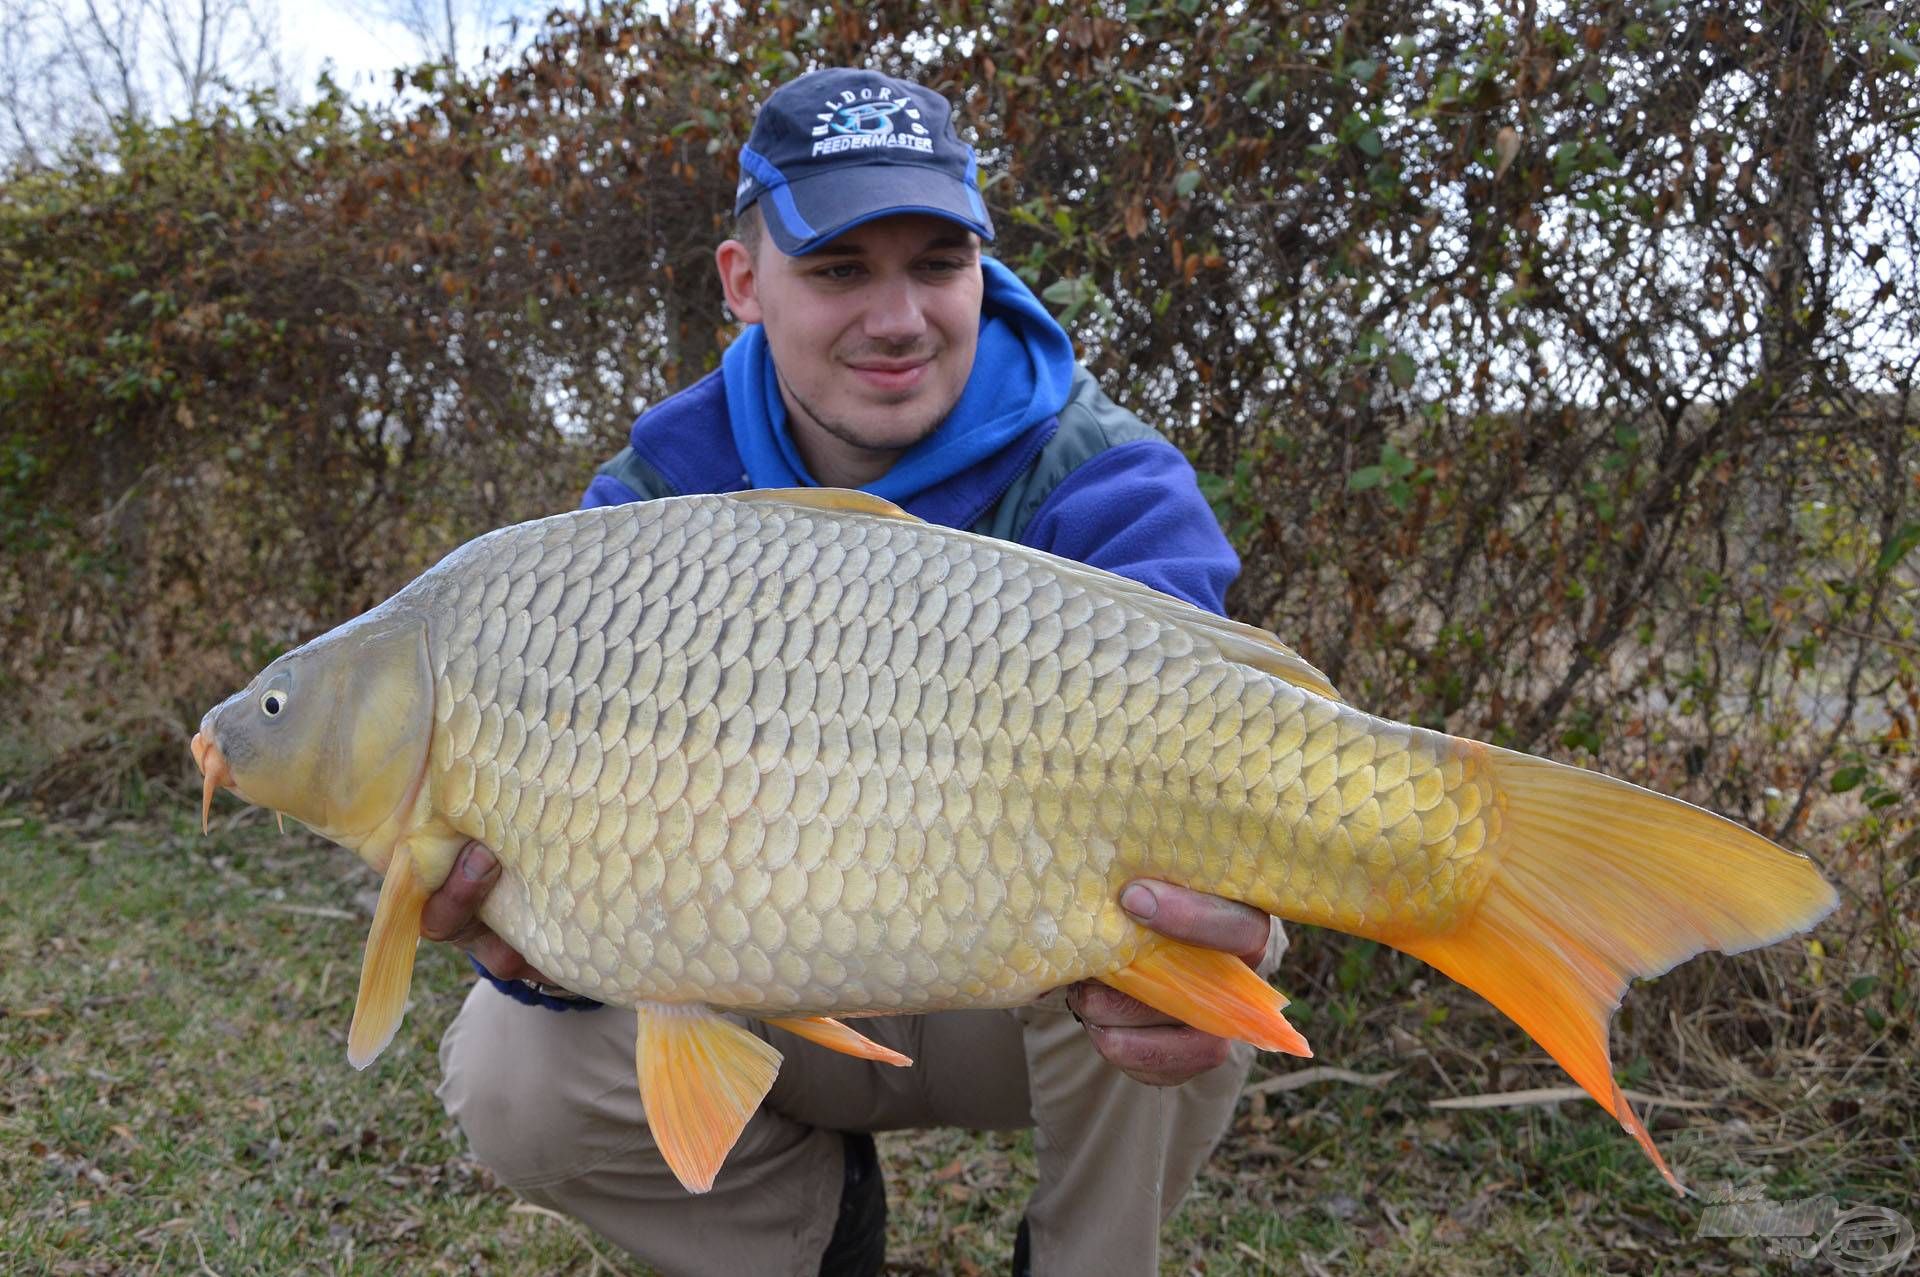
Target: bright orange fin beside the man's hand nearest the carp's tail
{"points": [[1212, 992]]}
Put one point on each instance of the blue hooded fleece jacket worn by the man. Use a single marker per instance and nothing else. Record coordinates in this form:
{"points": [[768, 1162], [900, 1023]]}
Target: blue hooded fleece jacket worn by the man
{"points": [[1032, 431]]}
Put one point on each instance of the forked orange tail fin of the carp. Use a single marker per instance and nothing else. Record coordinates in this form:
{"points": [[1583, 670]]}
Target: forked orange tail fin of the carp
{"points": [[1600, 882]]}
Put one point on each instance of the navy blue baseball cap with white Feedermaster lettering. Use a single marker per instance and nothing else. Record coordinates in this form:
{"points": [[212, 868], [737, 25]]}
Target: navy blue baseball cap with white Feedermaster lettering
{"points": [[838, 149]]}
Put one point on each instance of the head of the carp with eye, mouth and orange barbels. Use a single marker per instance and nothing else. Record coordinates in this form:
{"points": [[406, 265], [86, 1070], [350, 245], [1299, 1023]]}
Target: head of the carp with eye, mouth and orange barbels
{"points": [[335, 733]]}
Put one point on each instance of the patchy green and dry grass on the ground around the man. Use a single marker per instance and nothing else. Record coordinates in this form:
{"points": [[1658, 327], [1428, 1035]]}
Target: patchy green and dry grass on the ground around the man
{"points": [[176, 1097]]}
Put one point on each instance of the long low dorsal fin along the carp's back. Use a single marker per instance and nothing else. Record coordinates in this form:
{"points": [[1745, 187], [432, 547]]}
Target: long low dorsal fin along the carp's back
{"points": [[1237, 642]]}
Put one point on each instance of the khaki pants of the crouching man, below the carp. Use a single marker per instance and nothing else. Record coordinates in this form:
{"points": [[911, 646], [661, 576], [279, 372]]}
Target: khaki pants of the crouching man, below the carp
{"points": [[550, 1105]]}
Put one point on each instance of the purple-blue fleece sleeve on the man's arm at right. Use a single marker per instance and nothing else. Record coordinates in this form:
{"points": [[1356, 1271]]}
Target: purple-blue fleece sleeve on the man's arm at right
{"points": [[1138, 512]]}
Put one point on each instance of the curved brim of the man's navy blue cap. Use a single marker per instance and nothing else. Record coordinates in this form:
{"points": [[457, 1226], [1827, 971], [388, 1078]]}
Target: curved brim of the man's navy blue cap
{"points": [[817, 210]]}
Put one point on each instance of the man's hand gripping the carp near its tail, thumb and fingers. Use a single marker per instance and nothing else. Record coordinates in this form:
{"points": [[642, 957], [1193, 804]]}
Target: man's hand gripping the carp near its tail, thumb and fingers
{"points": [[1141, 1042]]}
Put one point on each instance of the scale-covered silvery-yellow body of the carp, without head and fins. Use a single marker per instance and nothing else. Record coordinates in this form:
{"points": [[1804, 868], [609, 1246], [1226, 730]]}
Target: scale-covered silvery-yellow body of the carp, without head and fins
{"points": [[825, 694]]}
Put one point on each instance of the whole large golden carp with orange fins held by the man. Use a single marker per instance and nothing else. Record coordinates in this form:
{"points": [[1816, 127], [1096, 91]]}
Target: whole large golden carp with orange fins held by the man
{"points": [[802, 756]]}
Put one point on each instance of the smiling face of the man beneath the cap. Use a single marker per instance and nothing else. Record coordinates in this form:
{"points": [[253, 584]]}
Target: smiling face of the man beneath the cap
{"points": [[873, 335]]}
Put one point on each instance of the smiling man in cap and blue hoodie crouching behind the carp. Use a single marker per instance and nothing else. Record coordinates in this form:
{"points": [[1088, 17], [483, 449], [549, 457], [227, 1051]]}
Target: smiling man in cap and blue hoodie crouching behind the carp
{"points": [[886, 354]]}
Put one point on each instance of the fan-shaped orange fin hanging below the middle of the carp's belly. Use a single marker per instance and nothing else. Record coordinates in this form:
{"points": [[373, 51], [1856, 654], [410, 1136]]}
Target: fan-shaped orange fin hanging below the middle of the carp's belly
{"points": [[702, 1078]]}
